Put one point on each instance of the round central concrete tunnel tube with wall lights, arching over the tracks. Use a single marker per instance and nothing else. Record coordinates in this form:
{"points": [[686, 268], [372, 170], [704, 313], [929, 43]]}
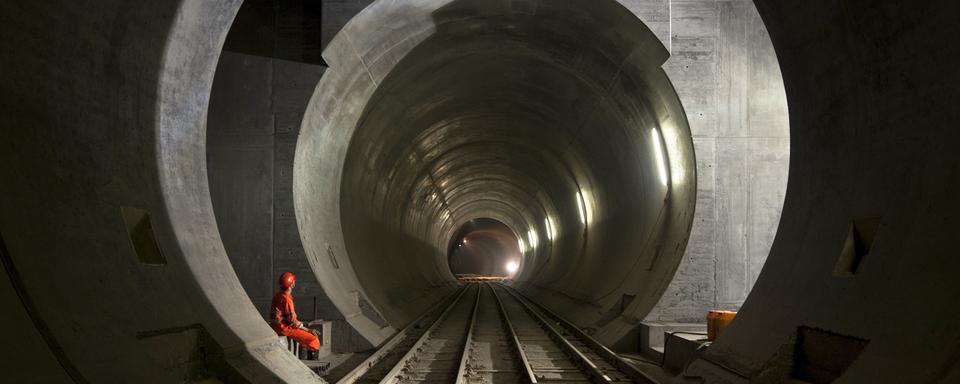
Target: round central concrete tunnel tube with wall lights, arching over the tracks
{"points": [[399, 74]]}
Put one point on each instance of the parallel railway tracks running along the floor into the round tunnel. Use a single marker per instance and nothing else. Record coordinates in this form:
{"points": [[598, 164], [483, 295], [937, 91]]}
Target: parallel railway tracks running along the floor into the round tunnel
{"points": [[490, 333]]}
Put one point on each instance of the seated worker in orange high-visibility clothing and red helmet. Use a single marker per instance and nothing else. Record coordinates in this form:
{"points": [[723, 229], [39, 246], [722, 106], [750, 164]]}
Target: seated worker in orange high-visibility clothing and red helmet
{"points": [[283, 317]]}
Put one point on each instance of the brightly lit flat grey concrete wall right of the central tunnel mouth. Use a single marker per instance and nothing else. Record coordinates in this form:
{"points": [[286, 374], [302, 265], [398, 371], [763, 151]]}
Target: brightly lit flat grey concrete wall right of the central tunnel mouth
{"points": [[727, 75]]}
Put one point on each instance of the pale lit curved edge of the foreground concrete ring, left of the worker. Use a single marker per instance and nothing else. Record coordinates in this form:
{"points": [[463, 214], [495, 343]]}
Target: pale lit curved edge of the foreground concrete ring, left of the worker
{"points": [[184, 89]]}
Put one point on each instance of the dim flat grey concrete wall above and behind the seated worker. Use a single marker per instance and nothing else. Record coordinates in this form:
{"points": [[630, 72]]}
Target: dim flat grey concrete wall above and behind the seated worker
{"points": [[256, 107]]}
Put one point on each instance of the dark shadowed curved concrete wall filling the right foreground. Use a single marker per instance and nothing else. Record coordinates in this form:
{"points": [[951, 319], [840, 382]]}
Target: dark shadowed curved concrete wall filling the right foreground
{"points": [[872, 89]]}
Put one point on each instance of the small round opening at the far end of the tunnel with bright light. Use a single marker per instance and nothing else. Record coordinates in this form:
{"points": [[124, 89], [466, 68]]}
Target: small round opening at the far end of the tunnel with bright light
{"points": [[484, 247]]}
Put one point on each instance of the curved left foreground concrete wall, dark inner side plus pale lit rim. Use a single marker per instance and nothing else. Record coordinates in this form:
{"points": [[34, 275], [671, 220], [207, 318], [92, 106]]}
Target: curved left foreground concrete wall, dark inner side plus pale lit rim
{"points": [[105, 107]]}
